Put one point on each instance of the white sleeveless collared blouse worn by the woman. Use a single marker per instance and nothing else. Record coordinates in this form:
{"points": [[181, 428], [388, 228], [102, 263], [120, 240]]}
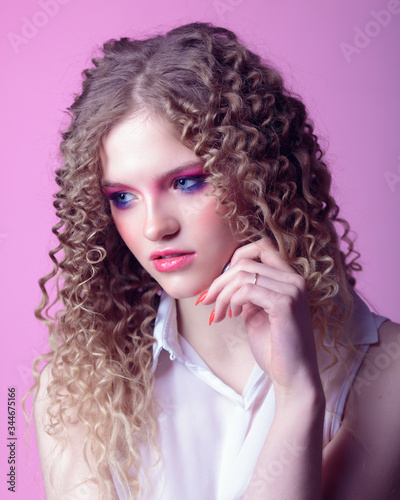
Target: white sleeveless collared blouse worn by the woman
{"points": [[209, 435]]}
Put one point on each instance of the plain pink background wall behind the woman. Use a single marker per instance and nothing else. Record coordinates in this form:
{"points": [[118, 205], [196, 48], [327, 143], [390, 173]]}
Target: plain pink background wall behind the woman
{"points": [[354, 101]]}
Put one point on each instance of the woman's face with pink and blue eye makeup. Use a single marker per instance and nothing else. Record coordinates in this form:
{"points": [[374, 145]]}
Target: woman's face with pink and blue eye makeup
{"points": [[157, 191]]}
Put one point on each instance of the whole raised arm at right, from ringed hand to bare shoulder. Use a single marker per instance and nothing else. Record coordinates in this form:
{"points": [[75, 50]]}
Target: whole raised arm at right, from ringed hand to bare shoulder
{"points": [[363, 460]]}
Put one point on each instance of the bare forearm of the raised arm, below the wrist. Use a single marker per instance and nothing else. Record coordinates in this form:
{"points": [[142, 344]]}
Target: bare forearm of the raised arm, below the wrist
{"points": [[290, 462]]}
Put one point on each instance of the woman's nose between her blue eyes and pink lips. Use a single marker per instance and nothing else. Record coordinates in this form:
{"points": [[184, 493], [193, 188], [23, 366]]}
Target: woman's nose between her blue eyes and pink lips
{"points": [[160, 221]]}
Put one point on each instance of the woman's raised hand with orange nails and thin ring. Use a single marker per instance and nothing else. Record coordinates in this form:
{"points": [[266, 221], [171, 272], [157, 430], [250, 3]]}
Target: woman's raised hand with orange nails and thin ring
{"points": [[275, 312]]}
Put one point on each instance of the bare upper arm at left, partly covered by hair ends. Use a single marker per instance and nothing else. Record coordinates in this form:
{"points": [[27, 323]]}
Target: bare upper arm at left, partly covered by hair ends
{"points": [[65, 470]]}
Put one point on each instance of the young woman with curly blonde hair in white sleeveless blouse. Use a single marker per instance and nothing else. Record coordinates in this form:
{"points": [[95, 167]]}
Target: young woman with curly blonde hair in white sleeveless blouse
{"points": [[210, 344]]}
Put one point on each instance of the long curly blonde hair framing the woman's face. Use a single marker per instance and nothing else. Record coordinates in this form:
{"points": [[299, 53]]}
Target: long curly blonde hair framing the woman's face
{"points": [[266, 166]]}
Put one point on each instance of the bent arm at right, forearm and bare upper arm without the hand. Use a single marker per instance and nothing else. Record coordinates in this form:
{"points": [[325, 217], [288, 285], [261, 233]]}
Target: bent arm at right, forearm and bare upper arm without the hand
{"points": [[362, 462]]}
